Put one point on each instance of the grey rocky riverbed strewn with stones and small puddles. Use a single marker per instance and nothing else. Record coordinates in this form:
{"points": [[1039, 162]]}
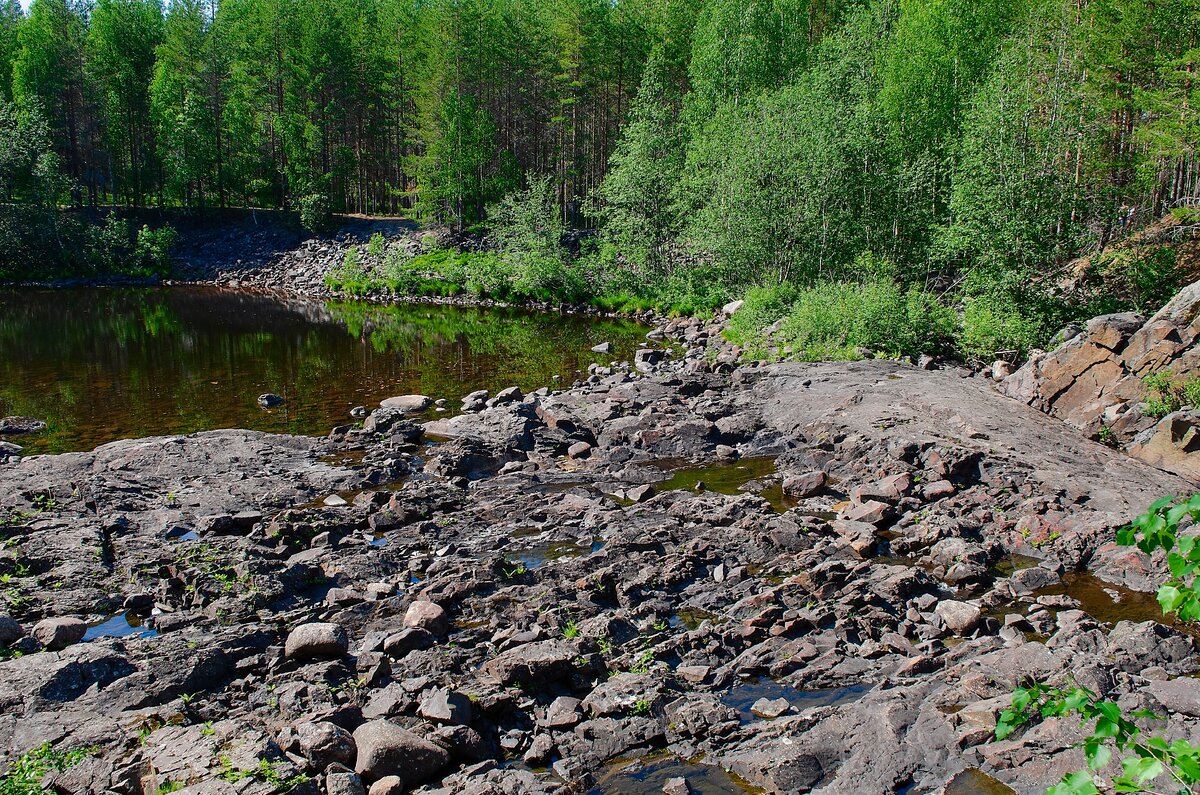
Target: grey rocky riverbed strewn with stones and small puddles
{"points": [[679, 576]]}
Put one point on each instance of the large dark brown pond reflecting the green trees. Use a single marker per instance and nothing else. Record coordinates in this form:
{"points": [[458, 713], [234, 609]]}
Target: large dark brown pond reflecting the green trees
{"points": [[106, 364]]}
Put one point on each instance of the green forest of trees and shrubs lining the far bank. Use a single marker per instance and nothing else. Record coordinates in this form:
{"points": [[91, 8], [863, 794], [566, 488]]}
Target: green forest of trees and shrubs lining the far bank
{"points": [[903, 176]]}
